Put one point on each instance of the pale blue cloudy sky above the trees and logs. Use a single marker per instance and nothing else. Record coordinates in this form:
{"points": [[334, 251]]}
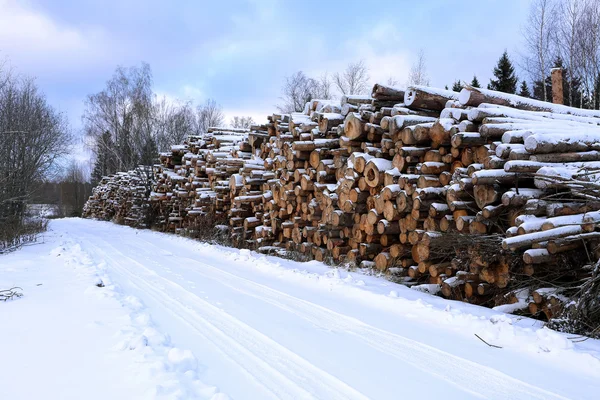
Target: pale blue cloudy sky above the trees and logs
{"points": [[238, 52]]}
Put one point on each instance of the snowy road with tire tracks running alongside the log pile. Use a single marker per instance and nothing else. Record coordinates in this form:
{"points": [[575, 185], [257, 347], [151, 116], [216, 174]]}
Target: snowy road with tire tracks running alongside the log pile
{"points": [[258, 327]]}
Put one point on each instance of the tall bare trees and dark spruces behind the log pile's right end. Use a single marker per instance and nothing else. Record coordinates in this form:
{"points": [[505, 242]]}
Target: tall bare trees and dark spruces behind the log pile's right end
{"points": [[558, 34]]}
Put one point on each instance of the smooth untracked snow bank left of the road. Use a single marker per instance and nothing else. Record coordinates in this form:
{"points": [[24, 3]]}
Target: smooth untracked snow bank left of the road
{"points": [[118, 354]]}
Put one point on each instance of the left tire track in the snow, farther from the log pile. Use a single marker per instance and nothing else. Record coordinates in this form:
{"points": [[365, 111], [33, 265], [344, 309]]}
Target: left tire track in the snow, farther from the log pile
{"points": [[280, 371]]}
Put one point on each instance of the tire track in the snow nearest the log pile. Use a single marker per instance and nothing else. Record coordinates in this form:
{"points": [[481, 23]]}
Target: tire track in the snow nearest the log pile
{"points": [[468, 376]]}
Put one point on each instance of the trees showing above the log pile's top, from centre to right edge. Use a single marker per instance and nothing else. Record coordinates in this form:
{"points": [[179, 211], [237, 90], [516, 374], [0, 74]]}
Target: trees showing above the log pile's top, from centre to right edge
{"points": [[557, 34]]}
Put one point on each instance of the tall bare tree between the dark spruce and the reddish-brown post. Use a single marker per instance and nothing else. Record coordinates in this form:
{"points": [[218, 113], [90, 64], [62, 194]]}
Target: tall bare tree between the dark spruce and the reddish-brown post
{"points": [[539, 40]]}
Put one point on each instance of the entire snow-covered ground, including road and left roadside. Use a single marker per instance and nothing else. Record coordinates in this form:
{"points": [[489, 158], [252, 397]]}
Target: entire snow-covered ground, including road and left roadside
{"points": [[178, 319]]}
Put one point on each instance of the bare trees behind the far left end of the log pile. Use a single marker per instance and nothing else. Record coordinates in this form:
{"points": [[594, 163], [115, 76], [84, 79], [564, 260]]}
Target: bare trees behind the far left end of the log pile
{"points": [[128, 123]]}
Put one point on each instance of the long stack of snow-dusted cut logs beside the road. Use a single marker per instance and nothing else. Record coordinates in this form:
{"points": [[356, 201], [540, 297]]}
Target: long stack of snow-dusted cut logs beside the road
{"points": [[491, 198]]}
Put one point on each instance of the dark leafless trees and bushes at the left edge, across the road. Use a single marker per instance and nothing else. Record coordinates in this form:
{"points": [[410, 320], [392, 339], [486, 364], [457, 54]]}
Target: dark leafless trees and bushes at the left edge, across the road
{"points": [[33, 137]]}
